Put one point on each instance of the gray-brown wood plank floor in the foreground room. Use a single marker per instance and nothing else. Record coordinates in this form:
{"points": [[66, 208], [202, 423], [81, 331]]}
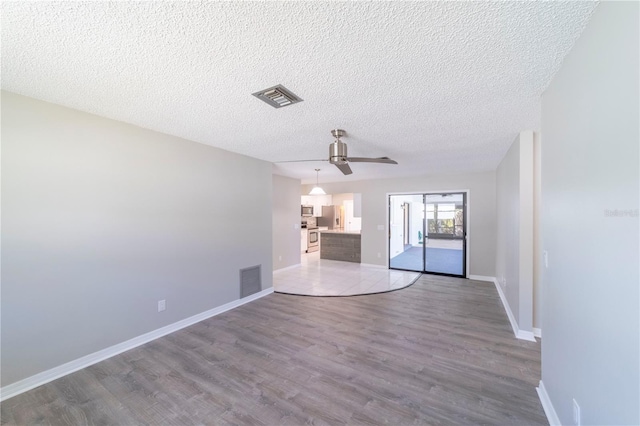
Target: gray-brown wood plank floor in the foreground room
{"points": [[438, 352]]}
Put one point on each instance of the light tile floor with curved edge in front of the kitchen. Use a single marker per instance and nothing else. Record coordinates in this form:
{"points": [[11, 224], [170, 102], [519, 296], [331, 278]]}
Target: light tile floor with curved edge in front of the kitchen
{"points": [[321, 277]]}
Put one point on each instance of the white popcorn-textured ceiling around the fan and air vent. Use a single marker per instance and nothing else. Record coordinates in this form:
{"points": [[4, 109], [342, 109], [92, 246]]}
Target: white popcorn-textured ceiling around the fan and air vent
{"points": [[441, 87]]}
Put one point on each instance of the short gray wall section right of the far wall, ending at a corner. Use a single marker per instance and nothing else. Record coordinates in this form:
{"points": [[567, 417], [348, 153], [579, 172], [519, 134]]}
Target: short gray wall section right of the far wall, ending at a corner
{"points": [[514, 245]]}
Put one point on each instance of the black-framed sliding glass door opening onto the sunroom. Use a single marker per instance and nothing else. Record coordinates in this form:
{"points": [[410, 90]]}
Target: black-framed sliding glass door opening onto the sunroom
{"points": [[427, 233]]}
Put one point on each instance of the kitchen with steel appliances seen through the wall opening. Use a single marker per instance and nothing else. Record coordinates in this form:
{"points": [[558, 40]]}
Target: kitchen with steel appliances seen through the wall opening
{"points": [[331, 224]]}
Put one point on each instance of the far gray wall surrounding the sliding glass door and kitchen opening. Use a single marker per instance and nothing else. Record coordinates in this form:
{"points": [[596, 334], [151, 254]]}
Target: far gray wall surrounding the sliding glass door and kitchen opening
{"points": [[482, 201]]}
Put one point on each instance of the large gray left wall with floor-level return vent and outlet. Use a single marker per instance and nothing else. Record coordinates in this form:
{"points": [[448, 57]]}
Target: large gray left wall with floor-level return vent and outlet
{"points": [[101, 219]]}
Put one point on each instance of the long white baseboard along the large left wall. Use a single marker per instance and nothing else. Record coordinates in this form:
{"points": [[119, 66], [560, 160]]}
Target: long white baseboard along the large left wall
{"points": [[62, 370]]}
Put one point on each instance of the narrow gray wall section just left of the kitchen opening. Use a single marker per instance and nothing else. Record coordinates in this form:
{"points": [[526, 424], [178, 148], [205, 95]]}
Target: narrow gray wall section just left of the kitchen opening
{"points": [[286, 222]]}
